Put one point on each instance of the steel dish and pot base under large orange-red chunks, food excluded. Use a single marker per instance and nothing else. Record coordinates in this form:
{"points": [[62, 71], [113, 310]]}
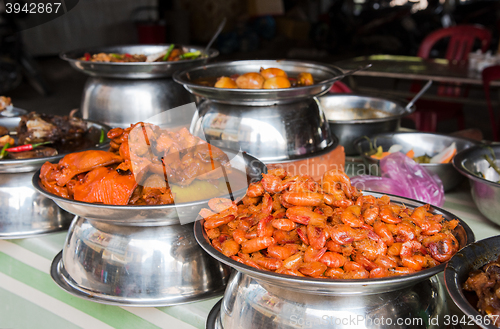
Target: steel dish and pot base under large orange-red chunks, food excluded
{"points": [[140, 255]]}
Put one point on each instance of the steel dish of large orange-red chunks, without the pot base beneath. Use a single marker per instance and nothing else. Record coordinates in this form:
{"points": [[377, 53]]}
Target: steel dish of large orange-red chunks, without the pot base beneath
{"points": [[149, 176]]}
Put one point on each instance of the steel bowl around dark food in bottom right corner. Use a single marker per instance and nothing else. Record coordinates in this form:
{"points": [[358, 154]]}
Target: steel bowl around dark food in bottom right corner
{"points": [[456, 272]]}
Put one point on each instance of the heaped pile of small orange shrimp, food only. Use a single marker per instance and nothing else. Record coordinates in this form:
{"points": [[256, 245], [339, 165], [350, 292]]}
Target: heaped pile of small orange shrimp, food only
{"points": [[328, 229]]}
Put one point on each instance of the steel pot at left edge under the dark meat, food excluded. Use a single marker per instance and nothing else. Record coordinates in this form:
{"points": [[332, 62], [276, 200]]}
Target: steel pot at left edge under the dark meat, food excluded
{"points": [[26, 213]]}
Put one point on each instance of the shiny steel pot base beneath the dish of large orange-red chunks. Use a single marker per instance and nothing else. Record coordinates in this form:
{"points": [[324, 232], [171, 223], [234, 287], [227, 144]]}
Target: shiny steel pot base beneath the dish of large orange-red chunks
{"points": [[137, 266]]}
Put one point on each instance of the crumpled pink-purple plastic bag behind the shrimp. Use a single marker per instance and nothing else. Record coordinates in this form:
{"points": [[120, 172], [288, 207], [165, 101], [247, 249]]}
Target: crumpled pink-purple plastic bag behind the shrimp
{"points": [[402, 176]]}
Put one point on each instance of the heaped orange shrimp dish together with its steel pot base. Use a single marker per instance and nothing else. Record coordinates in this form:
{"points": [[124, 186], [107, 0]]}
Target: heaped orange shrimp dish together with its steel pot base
{"points": [[320, 252]]}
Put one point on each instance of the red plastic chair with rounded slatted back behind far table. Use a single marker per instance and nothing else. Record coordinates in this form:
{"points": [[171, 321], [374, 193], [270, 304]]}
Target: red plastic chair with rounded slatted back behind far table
{"points": [[460, 44]]}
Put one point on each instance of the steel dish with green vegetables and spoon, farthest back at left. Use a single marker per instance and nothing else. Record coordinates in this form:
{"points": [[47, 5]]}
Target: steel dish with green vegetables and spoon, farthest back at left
{"points": [[137, 61]]}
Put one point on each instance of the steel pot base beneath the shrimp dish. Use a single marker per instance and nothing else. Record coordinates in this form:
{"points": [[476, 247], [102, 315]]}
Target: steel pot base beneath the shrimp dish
{"points": [[249, 304]]}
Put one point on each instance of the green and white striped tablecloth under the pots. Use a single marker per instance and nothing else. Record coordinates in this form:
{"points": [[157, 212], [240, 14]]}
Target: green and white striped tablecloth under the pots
{"points": [[30, 299]]}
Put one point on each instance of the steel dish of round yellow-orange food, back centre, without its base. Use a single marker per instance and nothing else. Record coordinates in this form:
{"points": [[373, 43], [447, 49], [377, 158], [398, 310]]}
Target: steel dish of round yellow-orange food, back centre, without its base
{"points": [[259, 82]]}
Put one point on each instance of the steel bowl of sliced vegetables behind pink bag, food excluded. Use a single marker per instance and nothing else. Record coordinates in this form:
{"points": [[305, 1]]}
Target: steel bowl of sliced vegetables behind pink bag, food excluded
{"points": [[421, 143]]}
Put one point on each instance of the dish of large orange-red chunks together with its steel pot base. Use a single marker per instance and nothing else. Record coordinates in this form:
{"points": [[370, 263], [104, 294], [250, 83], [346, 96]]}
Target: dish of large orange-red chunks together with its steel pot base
{"points": [[132, 242]]}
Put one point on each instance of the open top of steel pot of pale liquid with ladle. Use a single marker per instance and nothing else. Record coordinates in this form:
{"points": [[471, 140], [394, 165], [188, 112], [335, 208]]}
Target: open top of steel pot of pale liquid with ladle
{"points": [[358, 109]]}
